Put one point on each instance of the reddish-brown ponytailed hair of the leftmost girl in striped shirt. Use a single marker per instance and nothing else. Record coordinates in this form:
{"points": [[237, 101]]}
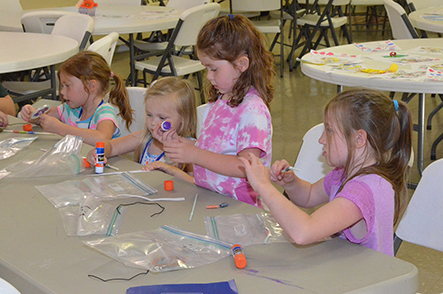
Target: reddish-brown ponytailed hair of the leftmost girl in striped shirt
{"points": [[86, 66]]}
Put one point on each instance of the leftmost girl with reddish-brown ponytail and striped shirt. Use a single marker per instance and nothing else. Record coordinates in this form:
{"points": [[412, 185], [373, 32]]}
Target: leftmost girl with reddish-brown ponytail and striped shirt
{"points": [[84, 82]]}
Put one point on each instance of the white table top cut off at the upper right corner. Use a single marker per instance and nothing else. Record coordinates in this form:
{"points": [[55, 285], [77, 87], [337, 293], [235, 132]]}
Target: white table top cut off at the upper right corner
{"points": [[431, 25]]}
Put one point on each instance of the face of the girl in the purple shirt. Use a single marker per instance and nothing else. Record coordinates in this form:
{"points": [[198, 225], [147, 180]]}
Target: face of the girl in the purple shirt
{"points": [[335, 147]]}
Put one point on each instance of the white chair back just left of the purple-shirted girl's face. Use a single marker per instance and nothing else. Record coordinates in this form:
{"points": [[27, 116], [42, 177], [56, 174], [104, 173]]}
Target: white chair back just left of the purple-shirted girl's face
{"points": [[310, 162]]}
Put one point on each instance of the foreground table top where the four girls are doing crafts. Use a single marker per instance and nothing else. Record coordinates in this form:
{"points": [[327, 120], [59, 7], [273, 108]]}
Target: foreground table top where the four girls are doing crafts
{"points": [[37, 257]]}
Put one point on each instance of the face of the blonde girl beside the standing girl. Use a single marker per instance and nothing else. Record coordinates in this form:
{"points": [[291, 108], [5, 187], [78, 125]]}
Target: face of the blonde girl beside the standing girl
{"points": [[158, 109]]}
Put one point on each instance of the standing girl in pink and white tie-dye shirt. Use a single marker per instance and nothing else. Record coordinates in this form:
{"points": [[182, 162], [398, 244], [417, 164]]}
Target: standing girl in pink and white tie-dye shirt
{"points": [[237, 121]]}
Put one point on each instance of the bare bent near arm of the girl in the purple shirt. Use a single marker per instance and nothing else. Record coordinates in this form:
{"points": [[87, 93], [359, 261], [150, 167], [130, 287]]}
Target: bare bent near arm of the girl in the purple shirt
{"points": [[303, 228]]}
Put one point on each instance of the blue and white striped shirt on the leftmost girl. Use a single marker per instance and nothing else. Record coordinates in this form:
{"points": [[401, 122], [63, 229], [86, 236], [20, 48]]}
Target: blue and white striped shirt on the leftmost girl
{"points": [[104, 111]]}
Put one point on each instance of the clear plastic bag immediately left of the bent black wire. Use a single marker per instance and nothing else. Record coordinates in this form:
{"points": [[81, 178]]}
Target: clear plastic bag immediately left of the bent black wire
{"points": [[91, 218]]}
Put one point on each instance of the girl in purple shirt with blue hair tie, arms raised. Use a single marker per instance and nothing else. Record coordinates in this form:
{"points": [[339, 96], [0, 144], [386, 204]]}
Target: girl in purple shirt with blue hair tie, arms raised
{"points": [[367, 138]]}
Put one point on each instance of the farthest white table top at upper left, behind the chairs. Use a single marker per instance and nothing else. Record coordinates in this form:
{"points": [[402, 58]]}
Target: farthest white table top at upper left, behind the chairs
{"points": [[122, 19]]}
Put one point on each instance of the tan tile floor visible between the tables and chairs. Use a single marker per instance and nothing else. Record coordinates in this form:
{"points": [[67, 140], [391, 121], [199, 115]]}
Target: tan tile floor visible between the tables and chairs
{"points": [[298, 105]]}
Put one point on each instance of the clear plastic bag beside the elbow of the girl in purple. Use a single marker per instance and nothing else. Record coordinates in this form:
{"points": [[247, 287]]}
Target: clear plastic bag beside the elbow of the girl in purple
{"points": [[246, 229]]}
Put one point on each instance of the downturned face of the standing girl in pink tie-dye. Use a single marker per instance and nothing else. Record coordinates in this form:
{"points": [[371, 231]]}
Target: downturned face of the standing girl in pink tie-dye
{"points": [[221, 73]]}
